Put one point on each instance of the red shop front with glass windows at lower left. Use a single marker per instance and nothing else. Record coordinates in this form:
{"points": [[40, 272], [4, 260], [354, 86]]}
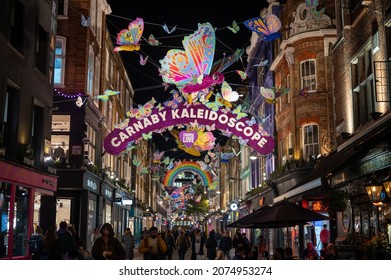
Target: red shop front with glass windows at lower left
{"points": [[20, 190]]}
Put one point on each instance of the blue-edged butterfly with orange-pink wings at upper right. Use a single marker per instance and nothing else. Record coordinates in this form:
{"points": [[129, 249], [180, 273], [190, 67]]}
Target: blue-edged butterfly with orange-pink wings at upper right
{"points": [[267, 26]]}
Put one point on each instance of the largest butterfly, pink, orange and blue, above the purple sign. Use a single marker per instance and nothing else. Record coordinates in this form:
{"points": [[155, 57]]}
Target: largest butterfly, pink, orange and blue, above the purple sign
{"points": [[191, 69]]}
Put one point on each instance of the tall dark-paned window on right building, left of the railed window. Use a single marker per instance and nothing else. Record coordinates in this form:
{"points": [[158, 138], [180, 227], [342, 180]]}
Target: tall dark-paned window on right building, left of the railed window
{"points": [[363, 88]]}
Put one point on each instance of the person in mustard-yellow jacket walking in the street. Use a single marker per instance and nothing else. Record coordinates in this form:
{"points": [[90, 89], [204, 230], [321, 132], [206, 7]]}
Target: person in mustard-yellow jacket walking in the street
{"points": [[153, 246]]}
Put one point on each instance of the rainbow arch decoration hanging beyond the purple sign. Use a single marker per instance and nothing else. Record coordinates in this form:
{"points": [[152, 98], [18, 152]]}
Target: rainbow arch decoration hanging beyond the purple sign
{"points": [[189, 166]]}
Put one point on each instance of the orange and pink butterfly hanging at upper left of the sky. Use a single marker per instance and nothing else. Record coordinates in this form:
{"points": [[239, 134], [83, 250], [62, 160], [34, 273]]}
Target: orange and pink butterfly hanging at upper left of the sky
{"points": [[128, 39]]}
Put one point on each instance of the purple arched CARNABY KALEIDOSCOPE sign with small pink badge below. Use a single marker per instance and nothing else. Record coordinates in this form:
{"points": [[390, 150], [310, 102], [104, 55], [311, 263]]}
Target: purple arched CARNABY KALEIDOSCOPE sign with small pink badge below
{"points": [[229, 122]]}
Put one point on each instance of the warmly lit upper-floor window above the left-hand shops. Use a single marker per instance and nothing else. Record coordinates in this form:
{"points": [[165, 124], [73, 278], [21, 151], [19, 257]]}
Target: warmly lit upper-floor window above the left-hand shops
{"points": [[61, 125]]}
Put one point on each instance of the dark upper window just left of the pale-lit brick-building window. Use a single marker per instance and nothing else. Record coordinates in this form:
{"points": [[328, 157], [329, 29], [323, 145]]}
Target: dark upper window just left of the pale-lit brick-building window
{"points": [[41, 49]]}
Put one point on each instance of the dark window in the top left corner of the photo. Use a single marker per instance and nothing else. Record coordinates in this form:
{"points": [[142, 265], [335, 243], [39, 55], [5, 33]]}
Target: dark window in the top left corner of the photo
{"points": [[16, 24]]}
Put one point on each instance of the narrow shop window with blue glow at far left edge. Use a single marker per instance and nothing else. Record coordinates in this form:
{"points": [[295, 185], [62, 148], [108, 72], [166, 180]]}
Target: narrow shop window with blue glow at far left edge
{"points": [[5, 194]]}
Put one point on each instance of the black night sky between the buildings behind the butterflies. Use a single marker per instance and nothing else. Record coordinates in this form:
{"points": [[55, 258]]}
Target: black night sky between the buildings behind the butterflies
{"points": [[145, 79]]}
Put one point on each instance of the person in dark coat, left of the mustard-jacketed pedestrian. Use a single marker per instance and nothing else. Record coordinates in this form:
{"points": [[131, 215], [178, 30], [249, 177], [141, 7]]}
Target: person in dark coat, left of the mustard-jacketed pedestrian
{"points": [[107, 247]]}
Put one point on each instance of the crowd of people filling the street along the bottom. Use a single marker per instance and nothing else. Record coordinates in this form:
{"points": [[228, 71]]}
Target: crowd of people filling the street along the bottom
{"points": [[66, 244]]}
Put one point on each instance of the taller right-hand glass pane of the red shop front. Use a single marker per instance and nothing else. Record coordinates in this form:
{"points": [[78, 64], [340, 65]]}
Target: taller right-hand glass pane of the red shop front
{"points": [[21, 221]]}
